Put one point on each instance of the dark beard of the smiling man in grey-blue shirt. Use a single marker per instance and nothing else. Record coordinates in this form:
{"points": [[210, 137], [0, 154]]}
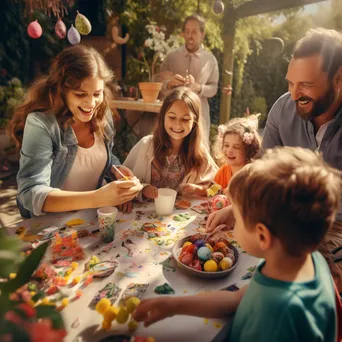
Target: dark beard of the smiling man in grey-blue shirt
{"points": [[319, 106]]}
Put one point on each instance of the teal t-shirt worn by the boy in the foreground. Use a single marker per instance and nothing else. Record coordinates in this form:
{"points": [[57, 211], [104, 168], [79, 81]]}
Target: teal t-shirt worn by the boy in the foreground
{"points": [[275, 311]]}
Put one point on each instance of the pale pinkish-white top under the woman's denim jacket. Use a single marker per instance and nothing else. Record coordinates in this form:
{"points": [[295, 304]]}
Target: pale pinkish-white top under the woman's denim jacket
{"points": [[87, 167]]}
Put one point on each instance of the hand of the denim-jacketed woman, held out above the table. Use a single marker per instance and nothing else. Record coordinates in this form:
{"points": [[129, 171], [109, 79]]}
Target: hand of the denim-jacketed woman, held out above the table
{"points": [[117, 192]]}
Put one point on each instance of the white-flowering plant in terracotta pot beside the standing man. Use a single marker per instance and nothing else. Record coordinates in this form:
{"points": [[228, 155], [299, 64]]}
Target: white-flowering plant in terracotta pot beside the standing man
{"points": [[154, 52]]}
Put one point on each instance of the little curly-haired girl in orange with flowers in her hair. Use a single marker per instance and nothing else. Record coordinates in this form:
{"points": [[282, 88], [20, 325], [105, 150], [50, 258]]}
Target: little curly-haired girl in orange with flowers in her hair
{"points": [[237, 143]]}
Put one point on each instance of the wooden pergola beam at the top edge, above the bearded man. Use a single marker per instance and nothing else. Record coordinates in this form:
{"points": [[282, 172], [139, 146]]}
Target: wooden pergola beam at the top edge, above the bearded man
{"points": [[265, 6]]}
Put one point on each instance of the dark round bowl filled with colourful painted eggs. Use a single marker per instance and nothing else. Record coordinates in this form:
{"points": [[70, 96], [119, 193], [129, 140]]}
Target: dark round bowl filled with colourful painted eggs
{"points": [[211, 258]]}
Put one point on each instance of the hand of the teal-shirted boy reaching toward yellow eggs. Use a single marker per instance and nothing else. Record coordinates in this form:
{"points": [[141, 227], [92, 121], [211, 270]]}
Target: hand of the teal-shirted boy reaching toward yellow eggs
{"points": [[153, 310]]}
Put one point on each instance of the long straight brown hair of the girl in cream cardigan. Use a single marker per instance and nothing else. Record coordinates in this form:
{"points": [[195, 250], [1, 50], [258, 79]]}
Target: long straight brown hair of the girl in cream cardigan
{"points": [[192, 153]]}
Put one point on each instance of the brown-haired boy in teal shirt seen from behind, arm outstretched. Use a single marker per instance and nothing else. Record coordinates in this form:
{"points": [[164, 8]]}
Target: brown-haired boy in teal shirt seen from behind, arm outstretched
{"points": [[283, 204]]}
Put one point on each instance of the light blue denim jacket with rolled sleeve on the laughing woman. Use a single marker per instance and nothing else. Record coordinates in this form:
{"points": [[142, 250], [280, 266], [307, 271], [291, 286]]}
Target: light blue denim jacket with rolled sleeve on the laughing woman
{"points": [[46, 157]]}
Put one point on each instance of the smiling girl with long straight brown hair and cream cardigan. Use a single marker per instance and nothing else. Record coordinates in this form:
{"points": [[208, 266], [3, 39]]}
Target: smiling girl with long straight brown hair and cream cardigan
{"points": [[174, 156]]}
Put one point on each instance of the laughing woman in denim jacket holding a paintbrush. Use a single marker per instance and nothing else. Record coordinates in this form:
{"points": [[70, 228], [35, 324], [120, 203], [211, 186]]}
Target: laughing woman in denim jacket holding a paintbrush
{"points": [[64, 130]]}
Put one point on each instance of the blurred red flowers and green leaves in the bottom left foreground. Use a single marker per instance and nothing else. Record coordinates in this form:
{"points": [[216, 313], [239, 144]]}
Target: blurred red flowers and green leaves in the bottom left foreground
{"points": [[23, 317]]}
